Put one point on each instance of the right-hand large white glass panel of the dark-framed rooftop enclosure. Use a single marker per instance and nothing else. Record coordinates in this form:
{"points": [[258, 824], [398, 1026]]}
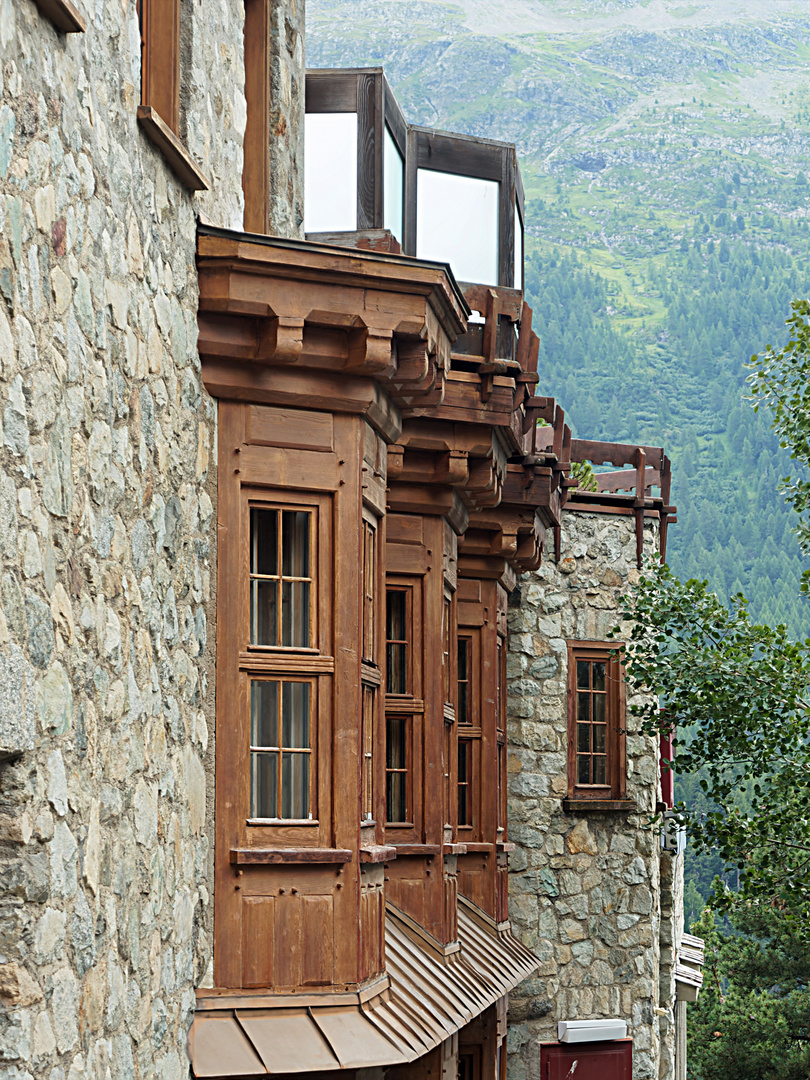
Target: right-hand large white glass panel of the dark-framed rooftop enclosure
{"points": [[457, 223]]}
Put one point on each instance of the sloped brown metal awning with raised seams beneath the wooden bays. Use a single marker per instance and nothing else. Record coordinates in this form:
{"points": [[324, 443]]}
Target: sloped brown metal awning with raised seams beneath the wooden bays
{"points": [[430, 997]]}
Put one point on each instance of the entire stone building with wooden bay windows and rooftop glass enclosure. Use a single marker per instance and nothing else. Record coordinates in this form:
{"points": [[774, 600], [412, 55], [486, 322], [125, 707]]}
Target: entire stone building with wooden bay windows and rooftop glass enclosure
{"points": [[294, 587]]}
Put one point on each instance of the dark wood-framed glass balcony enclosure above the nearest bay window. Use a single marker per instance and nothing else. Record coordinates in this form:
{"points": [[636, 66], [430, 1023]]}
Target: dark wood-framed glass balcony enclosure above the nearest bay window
{"points": [[447, 198]]}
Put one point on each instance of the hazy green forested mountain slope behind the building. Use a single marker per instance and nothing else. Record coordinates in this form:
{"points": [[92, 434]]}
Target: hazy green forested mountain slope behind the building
{"points": [[665, 148]]}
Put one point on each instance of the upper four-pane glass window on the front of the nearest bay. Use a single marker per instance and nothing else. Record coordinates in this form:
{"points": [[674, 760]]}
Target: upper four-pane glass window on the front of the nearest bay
{"points": [[281, 578]]}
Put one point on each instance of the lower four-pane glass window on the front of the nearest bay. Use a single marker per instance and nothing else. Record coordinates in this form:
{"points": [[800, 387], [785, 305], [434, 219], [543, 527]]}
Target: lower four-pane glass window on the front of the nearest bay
{"points": [[280, 750]]}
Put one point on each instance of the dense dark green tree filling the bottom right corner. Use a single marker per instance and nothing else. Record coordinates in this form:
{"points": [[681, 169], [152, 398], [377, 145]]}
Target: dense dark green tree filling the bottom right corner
{"points": [[752, 1019]]}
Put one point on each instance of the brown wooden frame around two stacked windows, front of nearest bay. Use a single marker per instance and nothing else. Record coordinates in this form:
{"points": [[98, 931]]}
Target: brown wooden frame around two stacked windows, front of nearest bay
{"points": [[290, 664]]}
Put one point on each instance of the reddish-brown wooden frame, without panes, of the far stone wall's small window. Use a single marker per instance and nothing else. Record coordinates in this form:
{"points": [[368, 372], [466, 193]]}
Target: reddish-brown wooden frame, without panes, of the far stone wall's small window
{"points": [[615, 788]]}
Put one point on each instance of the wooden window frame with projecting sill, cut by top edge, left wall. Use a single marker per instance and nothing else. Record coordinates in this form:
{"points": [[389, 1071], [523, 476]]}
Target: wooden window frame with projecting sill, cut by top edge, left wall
{"points": [[159, 113]]}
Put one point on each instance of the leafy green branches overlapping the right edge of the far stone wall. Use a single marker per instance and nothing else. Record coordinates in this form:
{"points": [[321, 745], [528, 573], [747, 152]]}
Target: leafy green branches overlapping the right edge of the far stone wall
{"points": [[737, 693]]}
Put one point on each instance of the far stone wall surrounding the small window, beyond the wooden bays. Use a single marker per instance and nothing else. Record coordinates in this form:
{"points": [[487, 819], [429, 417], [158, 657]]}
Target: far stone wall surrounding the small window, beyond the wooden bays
{"points": [[586, 893]]}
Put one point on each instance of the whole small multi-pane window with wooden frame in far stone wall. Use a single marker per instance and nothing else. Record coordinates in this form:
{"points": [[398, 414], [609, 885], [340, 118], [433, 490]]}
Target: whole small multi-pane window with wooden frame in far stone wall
{"points": [[597, 755]]}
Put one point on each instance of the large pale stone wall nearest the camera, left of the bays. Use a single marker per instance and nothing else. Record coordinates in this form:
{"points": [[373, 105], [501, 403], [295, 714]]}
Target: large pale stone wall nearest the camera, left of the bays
{"points": [[107, 541]]}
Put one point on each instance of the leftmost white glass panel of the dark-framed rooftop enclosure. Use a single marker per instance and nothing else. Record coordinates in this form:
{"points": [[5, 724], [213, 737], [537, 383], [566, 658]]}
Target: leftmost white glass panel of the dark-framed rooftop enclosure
{"points": [[331, 172]]}
